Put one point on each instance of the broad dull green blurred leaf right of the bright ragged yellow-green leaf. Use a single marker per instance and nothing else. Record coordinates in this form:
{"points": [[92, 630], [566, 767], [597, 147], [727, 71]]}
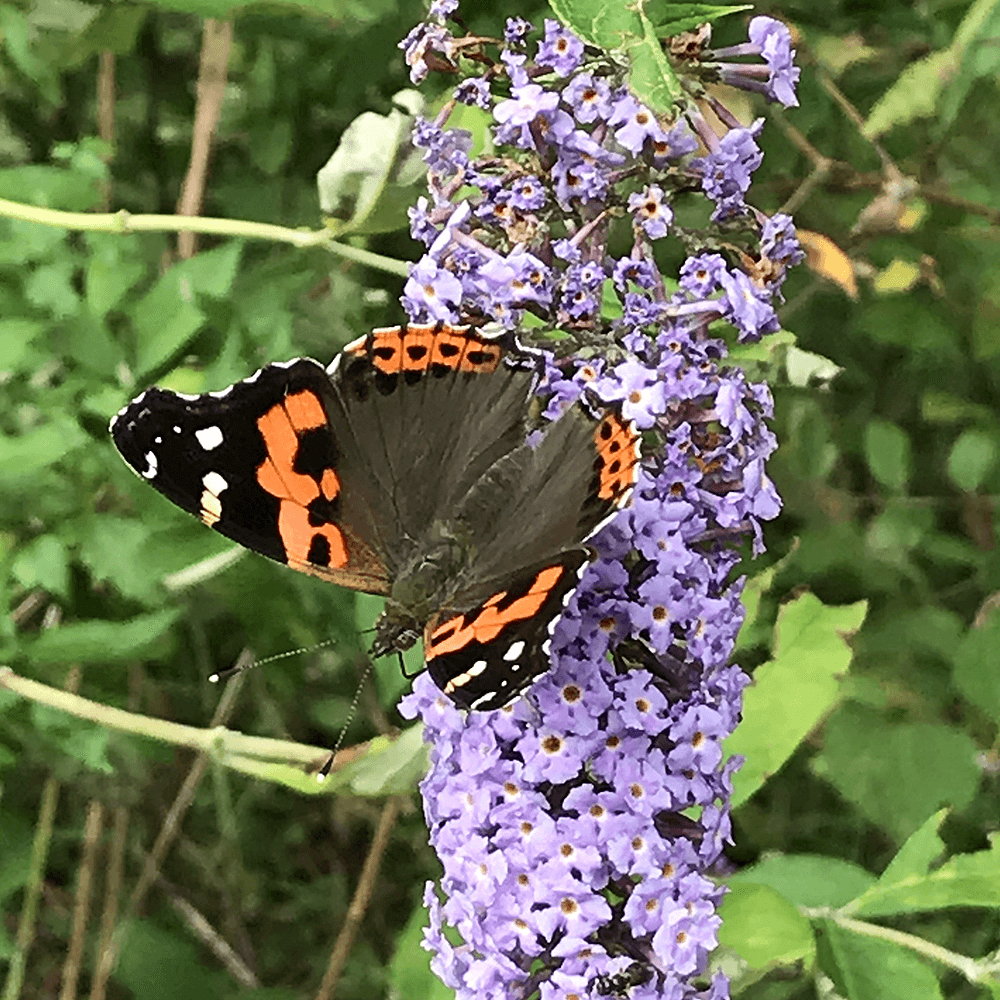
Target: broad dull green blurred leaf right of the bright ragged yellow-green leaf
{"points": [[898, 774]]}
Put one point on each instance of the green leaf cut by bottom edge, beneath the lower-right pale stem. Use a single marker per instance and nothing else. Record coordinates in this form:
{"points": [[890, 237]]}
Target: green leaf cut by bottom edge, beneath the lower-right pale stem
{"points": [[866, 968]]}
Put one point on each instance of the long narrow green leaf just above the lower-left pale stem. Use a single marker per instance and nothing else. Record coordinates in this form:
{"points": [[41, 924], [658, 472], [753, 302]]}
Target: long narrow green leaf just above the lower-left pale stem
{"points": [[99, 641]]}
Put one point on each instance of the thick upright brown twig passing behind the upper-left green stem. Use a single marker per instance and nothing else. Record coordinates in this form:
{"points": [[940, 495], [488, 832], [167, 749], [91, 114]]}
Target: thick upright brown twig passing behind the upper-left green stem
{"points": [[217, 40]]}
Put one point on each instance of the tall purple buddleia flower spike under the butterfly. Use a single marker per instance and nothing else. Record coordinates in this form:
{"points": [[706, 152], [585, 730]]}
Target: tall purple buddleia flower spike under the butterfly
{"points": [[577, 827]]}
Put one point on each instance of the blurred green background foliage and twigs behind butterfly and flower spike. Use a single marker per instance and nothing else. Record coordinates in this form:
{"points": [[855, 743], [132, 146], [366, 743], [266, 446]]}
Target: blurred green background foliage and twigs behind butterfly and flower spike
{"points": [[233, 885]]}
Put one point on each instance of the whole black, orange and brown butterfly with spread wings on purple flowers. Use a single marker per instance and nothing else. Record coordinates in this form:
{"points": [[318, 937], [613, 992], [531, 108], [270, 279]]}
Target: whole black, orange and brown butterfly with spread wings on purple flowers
{"points": [[403, 469]]}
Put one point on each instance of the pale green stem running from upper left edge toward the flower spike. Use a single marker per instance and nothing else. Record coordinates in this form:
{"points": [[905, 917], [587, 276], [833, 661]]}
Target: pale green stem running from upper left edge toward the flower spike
{"points": [[125, 222]]}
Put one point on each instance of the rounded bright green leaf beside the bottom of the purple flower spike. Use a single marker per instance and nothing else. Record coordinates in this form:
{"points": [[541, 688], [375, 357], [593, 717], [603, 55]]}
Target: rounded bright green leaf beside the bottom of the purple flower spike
{"points": [[763, 927]]}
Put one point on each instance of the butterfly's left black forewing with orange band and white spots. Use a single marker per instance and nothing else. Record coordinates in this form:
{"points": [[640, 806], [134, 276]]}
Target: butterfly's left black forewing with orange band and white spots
{"points": [[261, 463]]}
